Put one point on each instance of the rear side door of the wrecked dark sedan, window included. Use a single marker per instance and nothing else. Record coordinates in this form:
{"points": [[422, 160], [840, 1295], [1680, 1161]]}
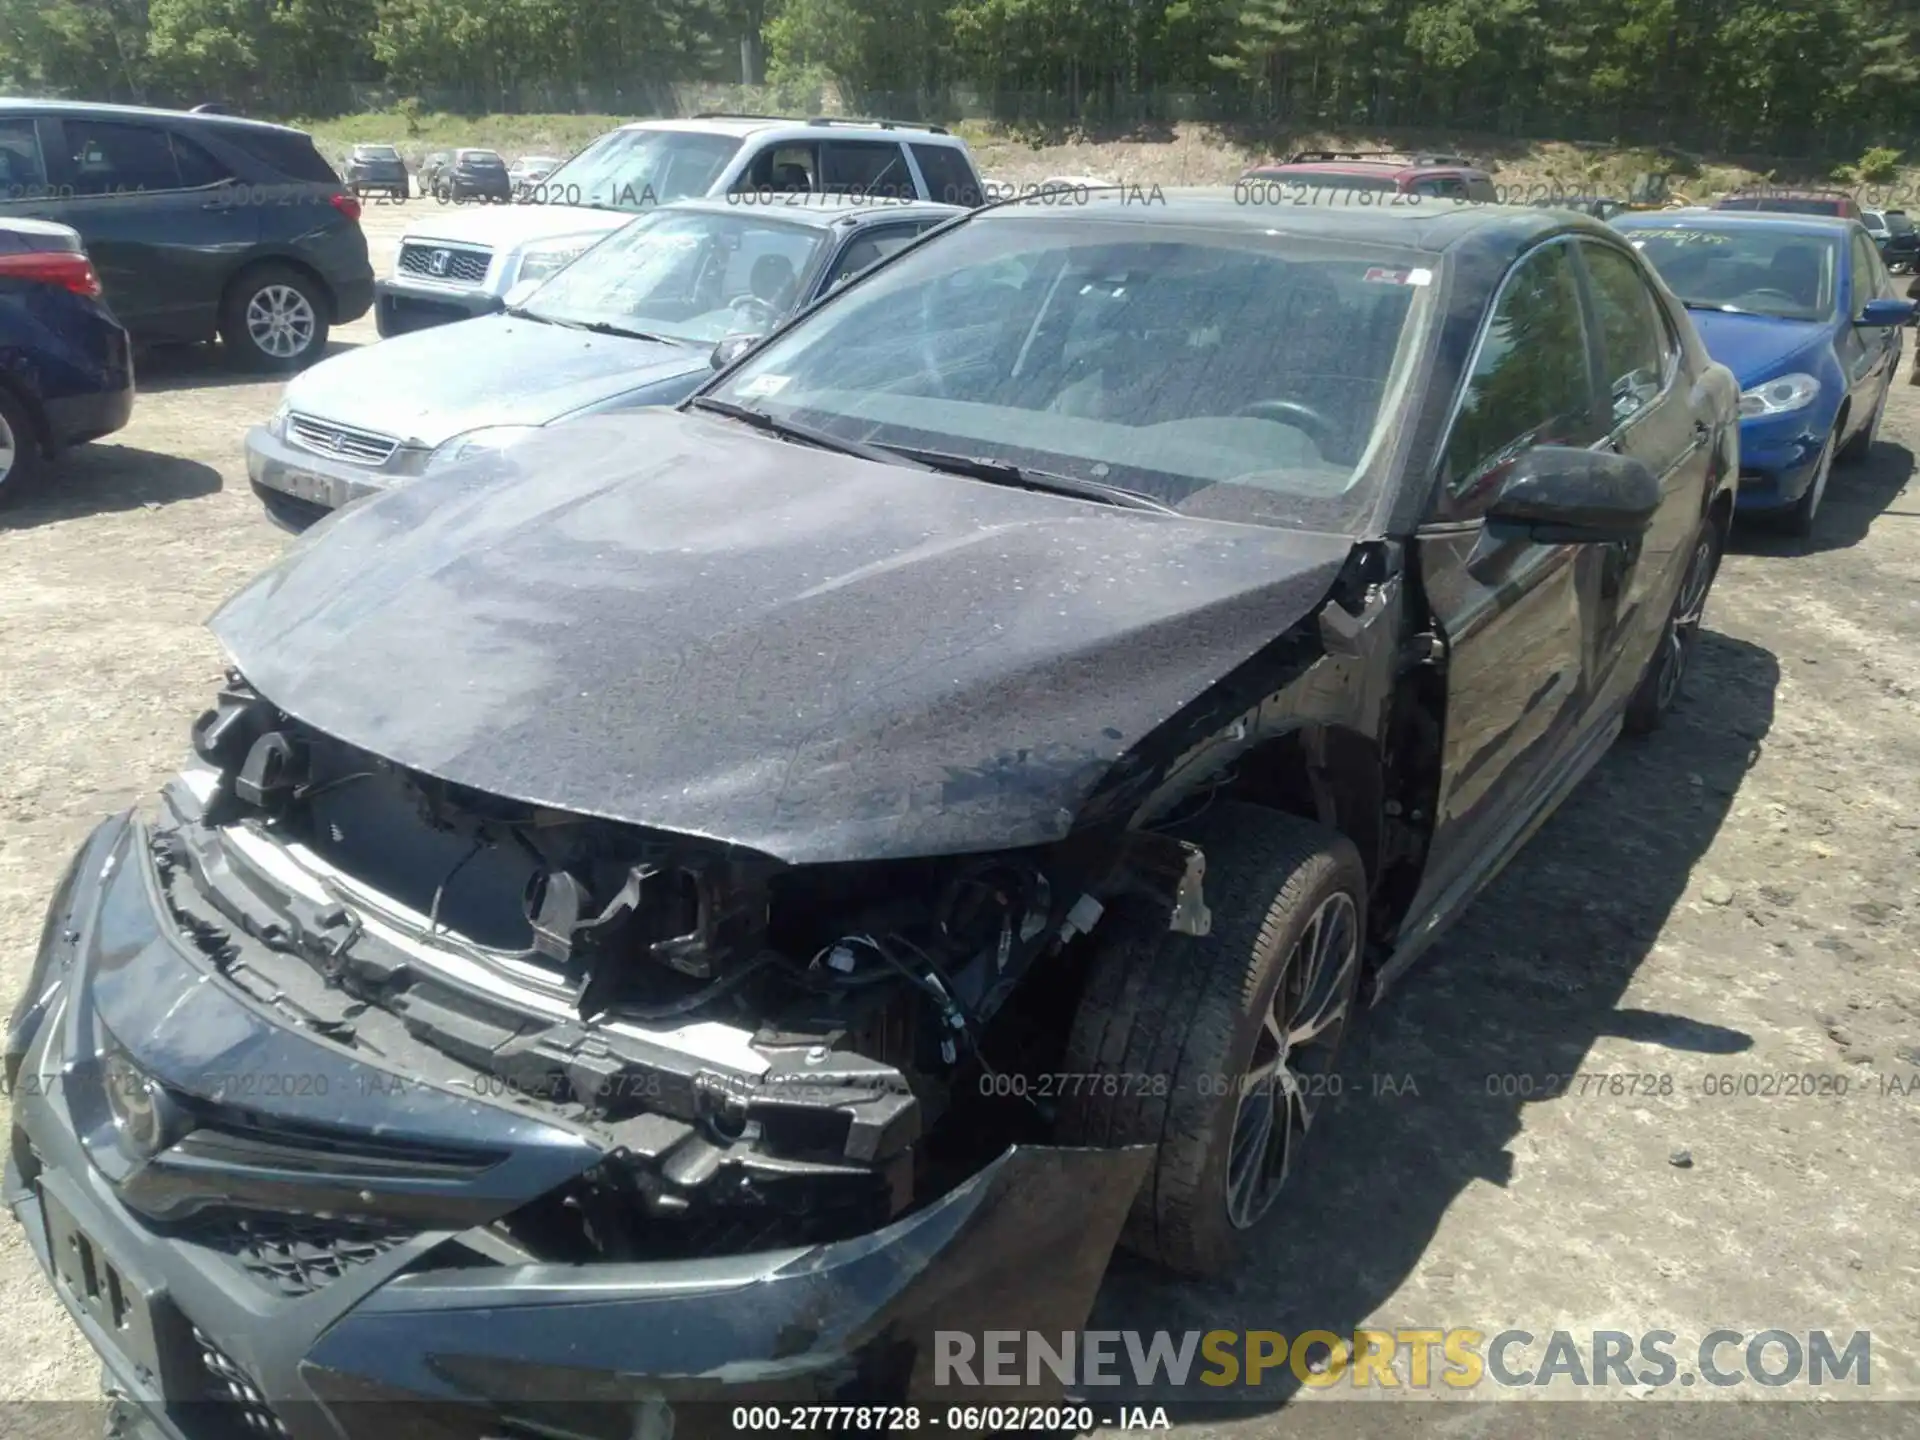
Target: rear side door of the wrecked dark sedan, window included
{"points": [[1656, 418]]}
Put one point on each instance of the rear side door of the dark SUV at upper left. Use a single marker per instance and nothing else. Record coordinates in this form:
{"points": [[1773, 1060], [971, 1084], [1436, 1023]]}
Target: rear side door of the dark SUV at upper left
{"points": [[162, 233]]}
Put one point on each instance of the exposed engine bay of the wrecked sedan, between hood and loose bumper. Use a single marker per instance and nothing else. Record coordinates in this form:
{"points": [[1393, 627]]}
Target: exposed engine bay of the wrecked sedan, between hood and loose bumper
{"points": [[765, 1051]]}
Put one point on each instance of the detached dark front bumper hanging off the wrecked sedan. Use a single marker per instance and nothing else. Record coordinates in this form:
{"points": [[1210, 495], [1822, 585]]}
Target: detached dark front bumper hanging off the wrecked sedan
{"points": [[312, 1249]]}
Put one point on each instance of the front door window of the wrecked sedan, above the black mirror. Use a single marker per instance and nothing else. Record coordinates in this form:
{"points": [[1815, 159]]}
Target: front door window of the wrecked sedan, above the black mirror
{"points": [[1529, 383]]}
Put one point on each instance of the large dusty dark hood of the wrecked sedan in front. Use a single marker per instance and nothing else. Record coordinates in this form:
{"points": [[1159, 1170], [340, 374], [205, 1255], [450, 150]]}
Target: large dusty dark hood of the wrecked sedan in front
{"points": [[679, 623]]}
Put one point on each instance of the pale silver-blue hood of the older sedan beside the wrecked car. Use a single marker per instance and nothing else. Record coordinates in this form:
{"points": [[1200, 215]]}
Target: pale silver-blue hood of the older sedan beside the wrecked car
{"points": [[494, 370]]}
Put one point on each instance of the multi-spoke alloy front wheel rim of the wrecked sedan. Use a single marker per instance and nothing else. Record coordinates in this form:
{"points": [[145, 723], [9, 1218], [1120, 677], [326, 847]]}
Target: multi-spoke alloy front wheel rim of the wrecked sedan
{"points": [[1293, 1055]]}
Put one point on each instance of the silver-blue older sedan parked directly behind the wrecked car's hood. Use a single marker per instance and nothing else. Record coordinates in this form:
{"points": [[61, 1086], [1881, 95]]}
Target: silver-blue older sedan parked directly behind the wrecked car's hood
{"points": [[633, 322]]}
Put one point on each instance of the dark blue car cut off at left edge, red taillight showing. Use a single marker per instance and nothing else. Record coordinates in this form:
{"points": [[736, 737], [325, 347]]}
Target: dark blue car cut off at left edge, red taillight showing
{"points": [[66, 364]]}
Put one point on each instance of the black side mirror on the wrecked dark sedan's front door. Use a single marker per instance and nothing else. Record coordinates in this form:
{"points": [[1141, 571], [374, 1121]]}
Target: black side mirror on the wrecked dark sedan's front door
{"points": [[1562, 496]]}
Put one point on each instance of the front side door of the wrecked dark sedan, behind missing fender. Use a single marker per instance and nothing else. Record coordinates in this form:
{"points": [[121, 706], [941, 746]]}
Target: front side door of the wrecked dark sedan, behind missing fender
{"points": [[1516, 617]]}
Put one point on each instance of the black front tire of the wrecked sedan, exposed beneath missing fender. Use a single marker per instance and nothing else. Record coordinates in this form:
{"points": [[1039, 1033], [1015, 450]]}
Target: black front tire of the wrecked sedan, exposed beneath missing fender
{"points": [[1182, 1020]]}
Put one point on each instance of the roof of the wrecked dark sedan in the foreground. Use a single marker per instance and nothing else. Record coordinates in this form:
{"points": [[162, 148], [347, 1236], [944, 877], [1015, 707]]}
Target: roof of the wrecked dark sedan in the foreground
{"points": [[1435, 226]]}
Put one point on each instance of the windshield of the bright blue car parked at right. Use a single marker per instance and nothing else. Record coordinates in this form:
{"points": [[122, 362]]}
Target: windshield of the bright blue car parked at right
{"points": [[1762, 272]]}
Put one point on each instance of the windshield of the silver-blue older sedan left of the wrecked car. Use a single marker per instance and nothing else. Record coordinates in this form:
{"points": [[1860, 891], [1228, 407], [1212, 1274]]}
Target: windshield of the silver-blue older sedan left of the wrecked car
{"points": [[686, 276]]}
